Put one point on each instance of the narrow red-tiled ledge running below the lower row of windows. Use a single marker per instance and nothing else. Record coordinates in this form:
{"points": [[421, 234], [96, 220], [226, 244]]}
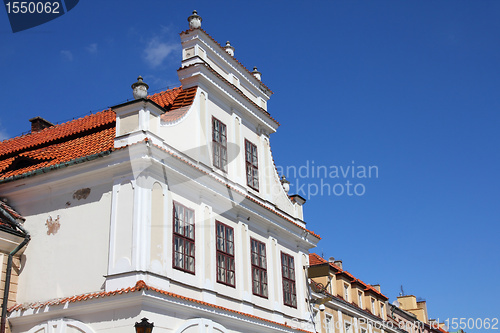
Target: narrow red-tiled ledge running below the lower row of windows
{"points": [[140, 285]]}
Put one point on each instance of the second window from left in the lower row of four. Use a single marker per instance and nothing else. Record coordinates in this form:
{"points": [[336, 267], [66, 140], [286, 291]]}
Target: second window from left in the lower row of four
{"points": [[225, 254]]}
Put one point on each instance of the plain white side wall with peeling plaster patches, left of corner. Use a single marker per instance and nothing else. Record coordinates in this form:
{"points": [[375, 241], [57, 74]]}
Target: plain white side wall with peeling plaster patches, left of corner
{"points": [[72, 258]]}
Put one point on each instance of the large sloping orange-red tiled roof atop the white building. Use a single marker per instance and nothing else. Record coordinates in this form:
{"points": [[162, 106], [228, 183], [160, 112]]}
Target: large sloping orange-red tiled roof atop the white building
{"points": [[76, 139]]}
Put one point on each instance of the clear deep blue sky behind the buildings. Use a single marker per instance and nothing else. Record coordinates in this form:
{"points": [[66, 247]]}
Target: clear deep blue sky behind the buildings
{"points": [[410, 87]]}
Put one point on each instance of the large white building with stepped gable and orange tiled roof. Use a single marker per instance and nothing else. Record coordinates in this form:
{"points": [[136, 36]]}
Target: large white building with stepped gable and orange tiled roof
{"points": [[167, 207]]}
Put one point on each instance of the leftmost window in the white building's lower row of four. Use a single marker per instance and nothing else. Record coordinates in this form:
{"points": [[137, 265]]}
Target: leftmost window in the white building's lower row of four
{"points": [[183, 238]]}
